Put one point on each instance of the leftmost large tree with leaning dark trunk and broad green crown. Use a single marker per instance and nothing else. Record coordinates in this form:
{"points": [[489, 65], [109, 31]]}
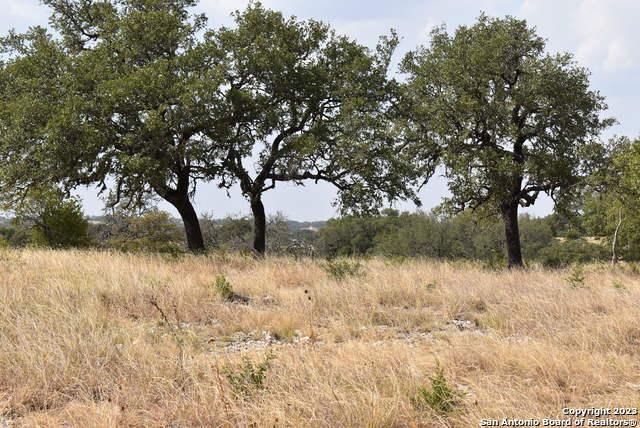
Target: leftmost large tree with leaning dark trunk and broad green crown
{"points": [[116, 99]]}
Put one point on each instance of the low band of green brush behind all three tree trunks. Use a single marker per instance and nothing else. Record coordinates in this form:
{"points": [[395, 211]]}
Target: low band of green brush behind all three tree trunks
{"points": [[552, 241]]}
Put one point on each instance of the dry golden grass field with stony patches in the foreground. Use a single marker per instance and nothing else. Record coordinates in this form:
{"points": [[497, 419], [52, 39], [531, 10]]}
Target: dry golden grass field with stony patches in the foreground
{"points": [[91, 339]]}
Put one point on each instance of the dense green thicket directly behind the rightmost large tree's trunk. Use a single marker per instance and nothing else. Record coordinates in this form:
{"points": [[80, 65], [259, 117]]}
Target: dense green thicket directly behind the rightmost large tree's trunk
{"points": [[464, 236]]}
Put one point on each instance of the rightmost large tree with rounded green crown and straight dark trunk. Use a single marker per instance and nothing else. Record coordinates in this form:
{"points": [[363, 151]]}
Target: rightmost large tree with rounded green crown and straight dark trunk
{"points": [[510, 120]]}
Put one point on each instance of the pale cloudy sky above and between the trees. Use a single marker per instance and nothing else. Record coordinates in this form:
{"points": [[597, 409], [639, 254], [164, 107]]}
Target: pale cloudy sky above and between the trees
{"points": [[602, 35]]}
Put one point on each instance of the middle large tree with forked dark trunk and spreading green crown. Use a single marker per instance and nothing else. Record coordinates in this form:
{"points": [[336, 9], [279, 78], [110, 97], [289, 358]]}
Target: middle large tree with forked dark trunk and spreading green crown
{"points": [[307, 104]]}
